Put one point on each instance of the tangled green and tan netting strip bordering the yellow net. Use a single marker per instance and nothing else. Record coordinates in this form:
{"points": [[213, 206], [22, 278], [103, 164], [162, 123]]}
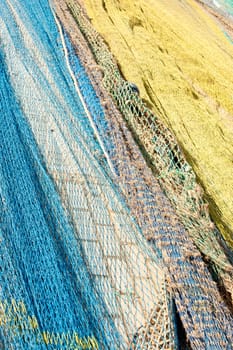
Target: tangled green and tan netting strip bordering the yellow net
{"points": [[163, 154]]}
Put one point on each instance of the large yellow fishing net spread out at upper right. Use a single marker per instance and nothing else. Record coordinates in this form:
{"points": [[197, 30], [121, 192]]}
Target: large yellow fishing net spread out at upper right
{"points": [[153, 48]]}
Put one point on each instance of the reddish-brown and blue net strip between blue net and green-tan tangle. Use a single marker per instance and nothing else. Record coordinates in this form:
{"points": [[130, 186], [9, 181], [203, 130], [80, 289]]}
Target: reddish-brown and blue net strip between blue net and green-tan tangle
{"points": [[191, 283]]}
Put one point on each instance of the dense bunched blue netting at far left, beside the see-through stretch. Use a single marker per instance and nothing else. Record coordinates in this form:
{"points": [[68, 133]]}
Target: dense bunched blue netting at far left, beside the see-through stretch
{"points": [[46, 288]]}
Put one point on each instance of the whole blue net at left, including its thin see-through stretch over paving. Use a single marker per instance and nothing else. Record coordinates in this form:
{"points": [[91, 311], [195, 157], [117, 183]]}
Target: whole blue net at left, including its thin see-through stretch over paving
{"points": [[77, 272]]}
